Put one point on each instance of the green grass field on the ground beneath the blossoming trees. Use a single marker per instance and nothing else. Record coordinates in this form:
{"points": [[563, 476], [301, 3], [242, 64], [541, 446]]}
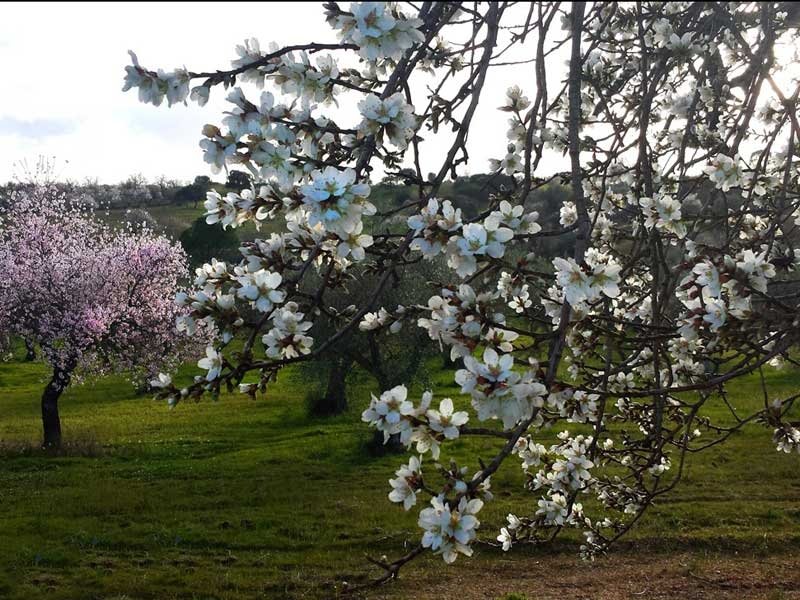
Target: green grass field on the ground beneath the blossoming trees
{"points": [[254, 499]]}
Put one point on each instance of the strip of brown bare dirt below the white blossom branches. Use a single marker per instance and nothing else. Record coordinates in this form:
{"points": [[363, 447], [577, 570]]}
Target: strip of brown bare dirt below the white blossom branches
{"points": [[617, 577]]}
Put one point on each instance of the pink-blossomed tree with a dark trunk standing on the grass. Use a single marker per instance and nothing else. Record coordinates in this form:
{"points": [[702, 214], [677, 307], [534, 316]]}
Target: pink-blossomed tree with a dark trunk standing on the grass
{"points": [[93, 298]]}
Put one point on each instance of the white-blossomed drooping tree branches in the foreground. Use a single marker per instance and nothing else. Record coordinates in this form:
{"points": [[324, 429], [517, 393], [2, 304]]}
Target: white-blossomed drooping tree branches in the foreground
{"points": [[676, 127]]}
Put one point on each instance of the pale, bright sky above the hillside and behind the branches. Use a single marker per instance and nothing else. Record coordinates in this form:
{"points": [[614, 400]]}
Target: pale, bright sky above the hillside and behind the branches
{"points": [[63, 67]]}
